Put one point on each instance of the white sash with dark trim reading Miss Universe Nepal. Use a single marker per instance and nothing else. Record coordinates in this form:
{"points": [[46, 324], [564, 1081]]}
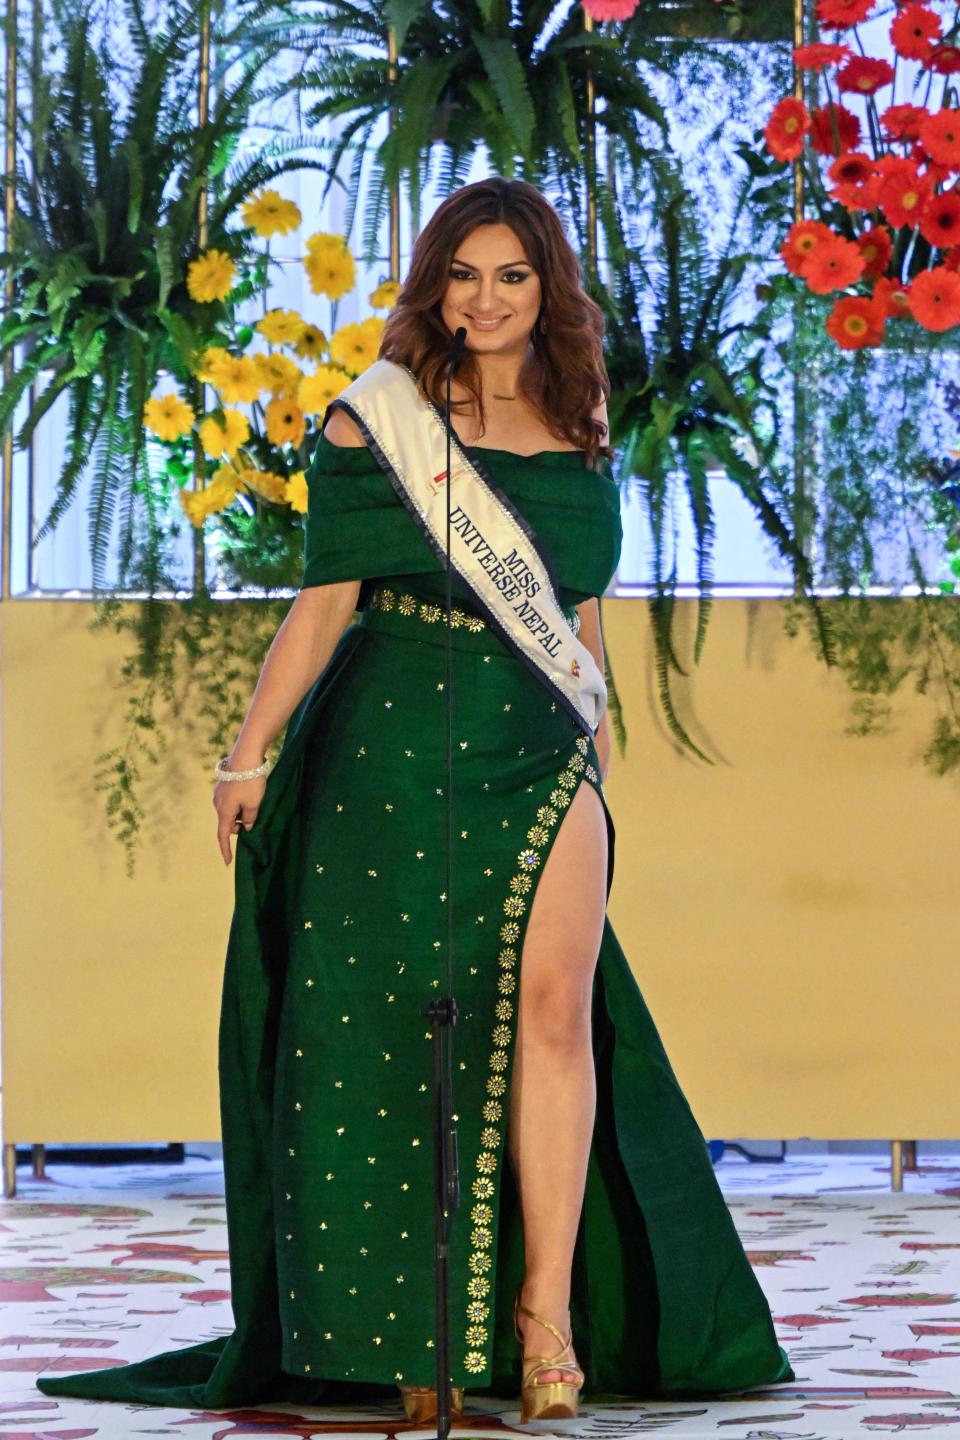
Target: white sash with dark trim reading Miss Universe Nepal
{"points": [[494, 549]]}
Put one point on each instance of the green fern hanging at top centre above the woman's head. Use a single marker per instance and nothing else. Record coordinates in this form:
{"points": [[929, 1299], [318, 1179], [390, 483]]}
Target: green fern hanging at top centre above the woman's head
{"points": [[500, 80]]}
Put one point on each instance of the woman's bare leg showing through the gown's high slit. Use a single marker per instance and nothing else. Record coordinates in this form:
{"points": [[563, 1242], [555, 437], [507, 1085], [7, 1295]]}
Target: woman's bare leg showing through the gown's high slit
{"points": [[553, 1086]]}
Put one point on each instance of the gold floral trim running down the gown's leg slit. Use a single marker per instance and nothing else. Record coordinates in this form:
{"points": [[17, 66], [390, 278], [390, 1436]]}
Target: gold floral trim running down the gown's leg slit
{"points": [[484, 1187]]}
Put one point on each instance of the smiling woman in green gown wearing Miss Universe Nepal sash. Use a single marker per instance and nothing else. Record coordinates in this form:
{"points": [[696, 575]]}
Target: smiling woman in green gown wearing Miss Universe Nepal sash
{"points": [[589, 1196]]}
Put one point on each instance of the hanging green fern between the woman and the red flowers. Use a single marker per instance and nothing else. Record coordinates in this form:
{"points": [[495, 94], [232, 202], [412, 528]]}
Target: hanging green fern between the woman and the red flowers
{"points": [[692, 394]]}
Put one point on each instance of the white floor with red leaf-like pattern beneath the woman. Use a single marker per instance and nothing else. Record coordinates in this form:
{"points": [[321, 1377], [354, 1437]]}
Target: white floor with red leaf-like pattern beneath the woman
{"points": [[114, 1264]]}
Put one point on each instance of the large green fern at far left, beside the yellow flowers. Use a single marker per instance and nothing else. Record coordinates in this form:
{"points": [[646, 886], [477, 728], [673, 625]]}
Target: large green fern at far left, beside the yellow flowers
{"points": [[106, 230]]}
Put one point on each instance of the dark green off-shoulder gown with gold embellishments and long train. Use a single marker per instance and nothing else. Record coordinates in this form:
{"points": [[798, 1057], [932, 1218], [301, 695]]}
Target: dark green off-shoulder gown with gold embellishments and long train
{"points": [[326, 1061]]}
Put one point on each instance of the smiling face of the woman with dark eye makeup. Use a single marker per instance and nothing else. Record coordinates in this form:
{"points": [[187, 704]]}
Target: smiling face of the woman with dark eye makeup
{"points": [[492, 280]]}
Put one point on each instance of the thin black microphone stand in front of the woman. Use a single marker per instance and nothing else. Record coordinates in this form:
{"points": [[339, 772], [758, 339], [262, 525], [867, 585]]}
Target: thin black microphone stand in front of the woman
{"points": [[441, 1012]]}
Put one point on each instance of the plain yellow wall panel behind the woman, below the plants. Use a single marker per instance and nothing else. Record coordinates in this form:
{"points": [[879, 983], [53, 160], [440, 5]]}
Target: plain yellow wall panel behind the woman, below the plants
{"points": [[791, 914]]}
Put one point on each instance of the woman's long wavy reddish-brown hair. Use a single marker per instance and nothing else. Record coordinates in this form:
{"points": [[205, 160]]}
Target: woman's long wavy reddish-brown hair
{"points": [[565, 378]]}
